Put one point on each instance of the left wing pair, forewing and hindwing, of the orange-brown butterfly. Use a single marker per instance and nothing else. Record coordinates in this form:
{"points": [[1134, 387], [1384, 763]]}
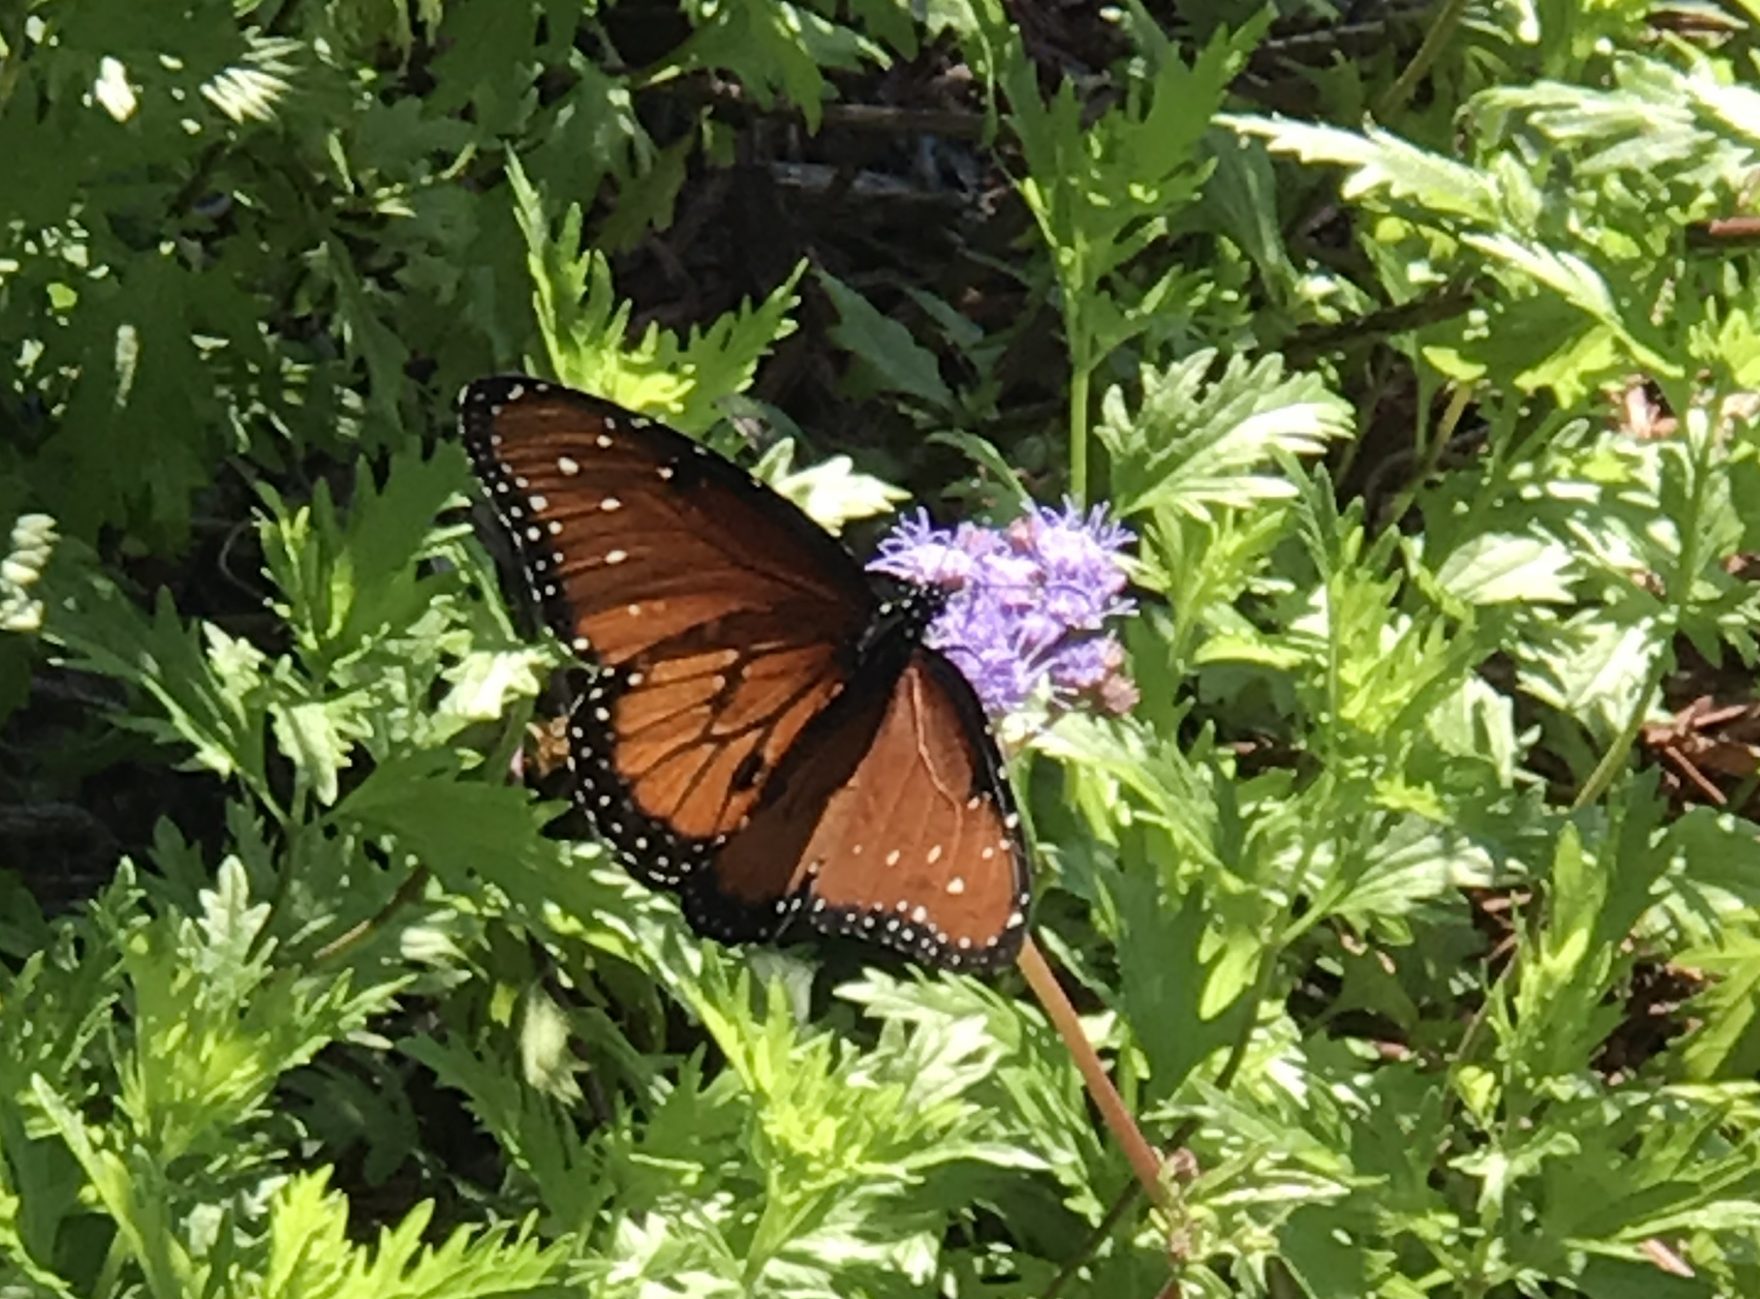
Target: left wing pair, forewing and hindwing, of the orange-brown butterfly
{"points": [[715, 612]]}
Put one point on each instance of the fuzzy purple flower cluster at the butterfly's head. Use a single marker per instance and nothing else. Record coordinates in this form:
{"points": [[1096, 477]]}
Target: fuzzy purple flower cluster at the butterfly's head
{"points": [[1027, 605]]}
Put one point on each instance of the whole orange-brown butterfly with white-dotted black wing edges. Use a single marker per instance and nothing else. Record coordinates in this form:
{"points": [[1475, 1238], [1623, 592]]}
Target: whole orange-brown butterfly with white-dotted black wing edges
{"points": [[761, 730]]}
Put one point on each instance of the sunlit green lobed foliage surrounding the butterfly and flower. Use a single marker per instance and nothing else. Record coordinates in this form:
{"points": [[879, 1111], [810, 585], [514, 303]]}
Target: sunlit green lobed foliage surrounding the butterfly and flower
{"points": [[1395, 904]]}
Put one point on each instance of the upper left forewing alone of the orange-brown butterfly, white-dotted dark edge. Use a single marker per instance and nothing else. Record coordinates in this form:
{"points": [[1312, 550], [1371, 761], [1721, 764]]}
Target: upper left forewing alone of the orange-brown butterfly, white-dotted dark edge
{"points": [[631, 534]]}
